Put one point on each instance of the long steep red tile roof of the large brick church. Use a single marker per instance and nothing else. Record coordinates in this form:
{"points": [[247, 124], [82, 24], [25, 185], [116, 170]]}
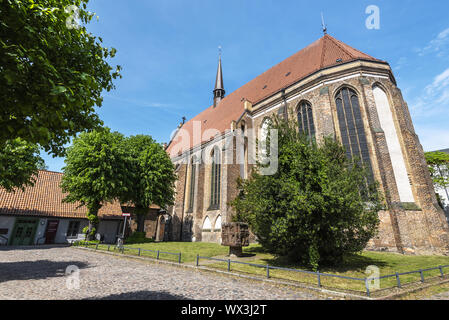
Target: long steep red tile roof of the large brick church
{"points": [[321, 54]]}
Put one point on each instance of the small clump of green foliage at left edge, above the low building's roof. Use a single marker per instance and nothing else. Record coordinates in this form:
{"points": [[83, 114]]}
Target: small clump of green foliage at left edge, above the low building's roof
{"points": [[19, 164]]}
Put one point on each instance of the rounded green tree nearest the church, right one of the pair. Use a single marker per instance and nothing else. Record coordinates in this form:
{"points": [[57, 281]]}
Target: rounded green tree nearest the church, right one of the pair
{"points": [[152, 178]]}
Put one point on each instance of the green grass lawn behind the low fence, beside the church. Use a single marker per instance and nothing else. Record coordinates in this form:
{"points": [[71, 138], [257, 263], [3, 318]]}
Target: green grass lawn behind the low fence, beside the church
{"points": [[353, 266]]}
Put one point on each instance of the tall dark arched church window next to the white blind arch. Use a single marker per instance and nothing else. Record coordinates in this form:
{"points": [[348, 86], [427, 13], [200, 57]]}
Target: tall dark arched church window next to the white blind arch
{"points": [[351, 126]]}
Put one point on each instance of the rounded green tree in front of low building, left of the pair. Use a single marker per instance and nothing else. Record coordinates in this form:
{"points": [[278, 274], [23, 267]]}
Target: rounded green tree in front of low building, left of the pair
{"points": [[97, 171]]}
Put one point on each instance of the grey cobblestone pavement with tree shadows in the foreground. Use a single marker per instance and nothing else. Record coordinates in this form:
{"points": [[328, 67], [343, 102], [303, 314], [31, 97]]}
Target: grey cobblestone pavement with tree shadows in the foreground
{"points": [[30, 273]]}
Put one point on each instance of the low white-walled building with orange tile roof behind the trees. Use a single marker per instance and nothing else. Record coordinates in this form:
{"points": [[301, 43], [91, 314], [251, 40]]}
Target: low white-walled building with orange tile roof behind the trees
{"points": [[38, 215]]}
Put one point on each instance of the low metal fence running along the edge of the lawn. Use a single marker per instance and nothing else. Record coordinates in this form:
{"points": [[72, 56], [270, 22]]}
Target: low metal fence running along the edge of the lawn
{"points": [[365, 282]]}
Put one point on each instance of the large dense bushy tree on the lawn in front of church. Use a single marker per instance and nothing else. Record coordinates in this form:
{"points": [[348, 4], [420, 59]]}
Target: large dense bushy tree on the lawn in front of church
{"points": [[317, 207]]}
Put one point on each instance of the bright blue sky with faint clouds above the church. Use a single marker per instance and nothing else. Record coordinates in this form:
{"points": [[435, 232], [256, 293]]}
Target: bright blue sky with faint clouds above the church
{"points": [[168, 51]]}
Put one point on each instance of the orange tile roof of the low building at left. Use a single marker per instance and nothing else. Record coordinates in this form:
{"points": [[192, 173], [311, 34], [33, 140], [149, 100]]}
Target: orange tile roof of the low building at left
{"points": [[45, 199]]}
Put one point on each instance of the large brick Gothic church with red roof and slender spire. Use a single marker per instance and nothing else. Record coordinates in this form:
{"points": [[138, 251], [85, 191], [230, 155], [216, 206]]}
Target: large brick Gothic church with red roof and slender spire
{"points": [[333, 90]]}
